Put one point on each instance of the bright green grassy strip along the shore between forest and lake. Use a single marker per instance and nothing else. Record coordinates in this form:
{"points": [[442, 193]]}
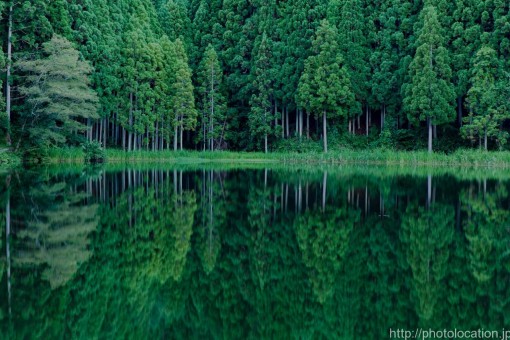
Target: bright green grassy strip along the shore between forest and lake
{"points": [[461, 158]]}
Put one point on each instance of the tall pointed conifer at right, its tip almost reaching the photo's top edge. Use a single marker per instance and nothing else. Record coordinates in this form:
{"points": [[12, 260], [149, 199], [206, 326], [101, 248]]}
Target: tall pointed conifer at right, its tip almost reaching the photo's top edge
{"points": [[429, 96]]}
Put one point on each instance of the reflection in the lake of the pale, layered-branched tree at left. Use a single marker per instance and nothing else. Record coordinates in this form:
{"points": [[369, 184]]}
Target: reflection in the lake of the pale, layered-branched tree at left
{"points": [[57, 234]]}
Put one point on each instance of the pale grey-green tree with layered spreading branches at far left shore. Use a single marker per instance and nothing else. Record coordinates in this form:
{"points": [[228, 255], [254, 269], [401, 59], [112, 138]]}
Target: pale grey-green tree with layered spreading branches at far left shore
{"points": [[58, 95]]}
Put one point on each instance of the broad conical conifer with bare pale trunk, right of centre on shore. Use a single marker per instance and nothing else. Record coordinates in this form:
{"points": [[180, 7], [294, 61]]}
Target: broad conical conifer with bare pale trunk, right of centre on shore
{"points": [[325, 88]]}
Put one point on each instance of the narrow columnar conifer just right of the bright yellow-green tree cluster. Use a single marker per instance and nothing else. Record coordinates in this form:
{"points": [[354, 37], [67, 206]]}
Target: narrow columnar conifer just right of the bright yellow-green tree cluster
{"points": [[213, 103]]}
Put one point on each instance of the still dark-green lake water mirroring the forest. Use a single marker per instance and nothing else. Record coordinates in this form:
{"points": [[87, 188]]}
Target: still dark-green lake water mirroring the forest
{"points": [[213, 253]]}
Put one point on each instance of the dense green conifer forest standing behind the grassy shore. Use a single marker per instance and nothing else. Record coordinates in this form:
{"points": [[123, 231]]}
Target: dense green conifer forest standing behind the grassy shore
{"points": [[255, 75]]}
